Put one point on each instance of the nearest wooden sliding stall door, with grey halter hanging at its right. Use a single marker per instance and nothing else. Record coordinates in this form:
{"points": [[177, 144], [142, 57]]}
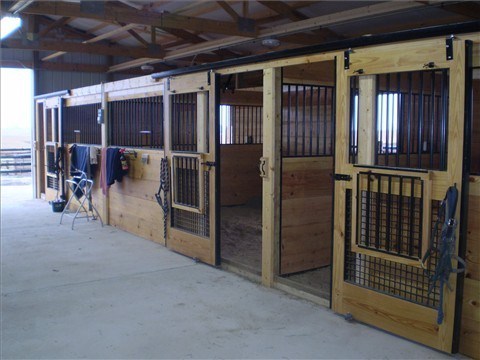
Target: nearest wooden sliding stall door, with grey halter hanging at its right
{"points": [[399, 145]]}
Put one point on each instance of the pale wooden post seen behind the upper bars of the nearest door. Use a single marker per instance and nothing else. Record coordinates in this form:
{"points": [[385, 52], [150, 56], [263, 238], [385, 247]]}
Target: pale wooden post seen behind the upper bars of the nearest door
{"points": [[366, 120]]}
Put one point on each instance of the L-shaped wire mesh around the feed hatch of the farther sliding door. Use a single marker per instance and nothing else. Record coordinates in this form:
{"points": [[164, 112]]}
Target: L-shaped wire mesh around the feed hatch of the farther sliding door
{"points": [[195, 223]]}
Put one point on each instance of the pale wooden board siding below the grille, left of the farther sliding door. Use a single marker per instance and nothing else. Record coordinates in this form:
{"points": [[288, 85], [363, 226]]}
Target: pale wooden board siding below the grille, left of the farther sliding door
{"points": [[132, 204]]}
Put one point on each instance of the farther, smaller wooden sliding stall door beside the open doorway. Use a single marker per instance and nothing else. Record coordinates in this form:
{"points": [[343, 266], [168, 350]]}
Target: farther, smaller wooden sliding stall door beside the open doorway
{"points": [[191, 128]]}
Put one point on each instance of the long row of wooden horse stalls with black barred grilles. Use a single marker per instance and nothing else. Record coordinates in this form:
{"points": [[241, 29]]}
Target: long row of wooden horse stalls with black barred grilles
{"points": [[320, 172]]}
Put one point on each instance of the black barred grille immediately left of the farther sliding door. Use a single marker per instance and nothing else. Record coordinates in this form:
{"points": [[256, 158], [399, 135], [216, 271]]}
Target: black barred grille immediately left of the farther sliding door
{"points": [[137, 122]]}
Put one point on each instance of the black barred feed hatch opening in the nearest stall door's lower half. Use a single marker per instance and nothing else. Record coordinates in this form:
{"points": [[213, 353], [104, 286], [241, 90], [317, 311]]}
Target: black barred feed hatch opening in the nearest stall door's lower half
{"points": [[390, 213]]}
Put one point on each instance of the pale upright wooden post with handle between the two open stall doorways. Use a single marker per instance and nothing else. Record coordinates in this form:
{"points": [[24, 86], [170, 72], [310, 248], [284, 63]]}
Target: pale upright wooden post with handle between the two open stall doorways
{"points": [[271, 182]]}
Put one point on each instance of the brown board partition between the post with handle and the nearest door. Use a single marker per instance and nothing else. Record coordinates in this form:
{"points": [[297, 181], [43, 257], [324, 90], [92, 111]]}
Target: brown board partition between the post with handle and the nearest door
{"points": [[306, 235]]}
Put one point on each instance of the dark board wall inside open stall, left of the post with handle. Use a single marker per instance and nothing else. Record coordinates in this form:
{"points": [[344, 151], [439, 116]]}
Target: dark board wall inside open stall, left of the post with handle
{"points": [[240, 179]]}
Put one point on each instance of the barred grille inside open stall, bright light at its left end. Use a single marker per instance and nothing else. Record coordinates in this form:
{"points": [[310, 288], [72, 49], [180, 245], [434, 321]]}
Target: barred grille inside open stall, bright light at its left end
{"points": [[241, 124]]}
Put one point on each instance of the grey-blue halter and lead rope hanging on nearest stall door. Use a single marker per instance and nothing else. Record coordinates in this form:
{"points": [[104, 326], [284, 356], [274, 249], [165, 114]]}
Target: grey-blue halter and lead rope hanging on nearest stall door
{"points": [[445, 249]]}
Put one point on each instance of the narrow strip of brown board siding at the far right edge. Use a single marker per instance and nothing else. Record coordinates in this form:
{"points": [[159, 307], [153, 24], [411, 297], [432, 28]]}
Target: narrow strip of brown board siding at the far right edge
{"points": [[470, 331]]}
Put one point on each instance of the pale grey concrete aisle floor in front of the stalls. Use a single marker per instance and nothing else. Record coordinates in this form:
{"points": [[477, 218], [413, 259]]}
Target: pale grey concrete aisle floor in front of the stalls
{"points": [[101, 293]]}
